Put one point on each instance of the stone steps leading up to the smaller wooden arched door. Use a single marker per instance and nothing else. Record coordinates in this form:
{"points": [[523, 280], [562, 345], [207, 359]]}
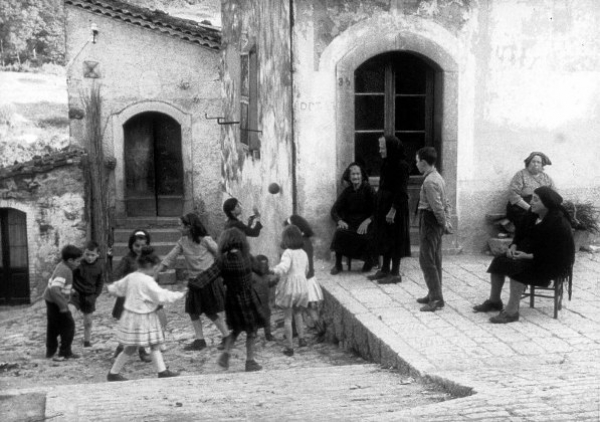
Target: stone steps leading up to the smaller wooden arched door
{"points": [[164, 233]]}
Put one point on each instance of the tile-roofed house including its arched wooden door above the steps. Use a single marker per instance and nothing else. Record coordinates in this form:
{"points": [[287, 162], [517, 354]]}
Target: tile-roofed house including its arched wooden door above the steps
{"points": [[158, 78]]}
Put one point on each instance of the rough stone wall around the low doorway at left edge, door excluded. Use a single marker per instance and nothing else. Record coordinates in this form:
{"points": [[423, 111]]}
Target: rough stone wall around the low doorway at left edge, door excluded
{"points": [[54, 204]]}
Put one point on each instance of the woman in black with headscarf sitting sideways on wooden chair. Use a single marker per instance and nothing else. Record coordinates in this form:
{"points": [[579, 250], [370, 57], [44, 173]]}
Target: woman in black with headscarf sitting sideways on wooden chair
{"points": [[542, 250]]}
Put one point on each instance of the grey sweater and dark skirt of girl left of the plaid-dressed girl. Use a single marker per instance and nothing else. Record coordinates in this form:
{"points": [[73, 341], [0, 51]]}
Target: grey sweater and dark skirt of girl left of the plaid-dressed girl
{"points": [[198, 257]]}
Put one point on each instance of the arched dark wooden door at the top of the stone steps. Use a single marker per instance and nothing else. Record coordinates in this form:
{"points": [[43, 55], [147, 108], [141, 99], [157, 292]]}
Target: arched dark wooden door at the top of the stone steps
{"points": [[153, 166]]}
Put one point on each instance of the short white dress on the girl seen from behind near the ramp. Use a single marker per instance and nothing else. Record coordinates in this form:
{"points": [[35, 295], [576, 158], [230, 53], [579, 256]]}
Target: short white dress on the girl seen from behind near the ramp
{"points": [[292, 289]]}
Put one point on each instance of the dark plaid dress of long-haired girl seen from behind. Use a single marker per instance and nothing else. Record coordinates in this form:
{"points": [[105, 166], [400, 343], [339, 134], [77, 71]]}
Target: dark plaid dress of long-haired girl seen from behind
{"points": [[243, 307]]}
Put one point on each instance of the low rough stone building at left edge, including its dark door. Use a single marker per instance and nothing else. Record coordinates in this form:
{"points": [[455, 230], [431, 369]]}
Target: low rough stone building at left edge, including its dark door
{"points": [[42, 209]]}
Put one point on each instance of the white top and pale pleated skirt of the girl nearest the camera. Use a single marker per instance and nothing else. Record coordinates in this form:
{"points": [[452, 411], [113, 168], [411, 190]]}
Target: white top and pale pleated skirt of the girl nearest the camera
{"points": [[139, 324]]}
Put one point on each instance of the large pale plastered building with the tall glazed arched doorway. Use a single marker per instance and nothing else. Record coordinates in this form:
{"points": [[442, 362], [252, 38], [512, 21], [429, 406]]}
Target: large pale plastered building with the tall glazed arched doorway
{"points": [[314, 83]]}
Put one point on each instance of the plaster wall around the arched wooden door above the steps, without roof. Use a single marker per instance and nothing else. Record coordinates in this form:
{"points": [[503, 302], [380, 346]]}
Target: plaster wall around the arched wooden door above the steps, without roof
{"points": [[145, 70]]}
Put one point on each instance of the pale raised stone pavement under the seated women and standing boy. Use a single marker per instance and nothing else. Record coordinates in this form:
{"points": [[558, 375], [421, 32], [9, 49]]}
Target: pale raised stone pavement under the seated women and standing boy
{"points": [[536, 369]]}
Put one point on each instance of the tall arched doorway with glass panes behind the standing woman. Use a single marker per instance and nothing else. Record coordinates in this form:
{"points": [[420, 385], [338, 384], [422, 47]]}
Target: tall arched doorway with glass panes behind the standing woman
{"points": [[395, 94]]}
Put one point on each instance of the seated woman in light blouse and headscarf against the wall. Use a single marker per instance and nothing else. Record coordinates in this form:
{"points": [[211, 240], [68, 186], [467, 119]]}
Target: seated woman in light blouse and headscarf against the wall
{"points": [[523, 183]]}
